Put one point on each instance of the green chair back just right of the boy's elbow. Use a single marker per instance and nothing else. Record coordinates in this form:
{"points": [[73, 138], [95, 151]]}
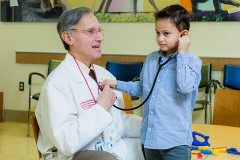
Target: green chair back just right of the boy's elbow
{"points": [[206, 71]]}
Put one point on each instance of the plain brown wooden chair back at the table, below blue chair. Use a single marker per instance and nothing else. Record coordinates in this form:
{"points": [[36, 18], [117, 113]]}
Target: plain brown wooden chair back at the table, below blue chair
{"points": [[227, 107]]}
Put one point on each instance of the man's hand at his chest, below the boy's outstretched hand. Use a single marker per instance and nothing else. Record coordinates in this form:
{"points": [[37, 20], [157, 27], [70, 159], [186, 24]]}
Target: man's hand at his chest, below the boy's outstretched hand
{"points": [[107, 98]]}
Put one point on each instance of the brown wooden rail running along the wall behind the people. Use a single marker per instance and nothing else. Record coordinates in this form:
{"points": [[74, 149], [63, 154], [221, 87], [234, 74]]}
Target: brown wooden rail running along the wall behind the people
{"points": [[43, 58]]}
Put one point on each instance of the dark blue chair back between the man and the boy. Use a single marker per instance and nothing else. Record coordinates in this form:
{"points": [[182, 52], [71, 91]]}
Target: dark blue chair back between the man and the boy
{"points": [[124, 71]]}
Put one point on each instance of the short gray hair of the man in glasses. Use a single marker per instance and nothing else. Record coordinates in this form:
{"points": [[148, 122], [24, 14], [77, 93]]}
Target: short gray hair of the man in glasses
{"points": [[69, 18]]}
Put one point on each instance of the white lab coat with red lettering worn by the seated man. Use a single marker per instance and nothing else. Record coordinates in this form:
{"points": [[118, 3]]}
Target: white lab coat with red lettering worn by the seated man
{"points": [[64, 123]]}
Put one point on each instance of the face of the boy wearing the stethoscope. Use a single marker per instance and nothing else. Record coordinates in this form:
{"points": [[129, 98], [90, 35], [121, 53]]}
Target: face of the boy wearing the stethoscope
{"points": [[167, 36]]}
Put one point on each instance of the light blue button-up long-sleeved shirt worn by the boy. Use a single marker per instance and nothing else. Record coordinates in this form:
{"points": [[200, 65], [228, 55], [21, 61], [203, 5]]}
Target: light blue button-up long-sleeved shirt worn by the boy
{"points": [[167, 119]]}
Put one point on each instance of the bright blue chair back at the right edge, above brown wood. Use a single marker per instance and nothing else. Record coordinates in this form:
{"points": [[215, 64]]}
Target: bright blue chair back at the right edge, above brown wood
{"points": [[231, 78]]}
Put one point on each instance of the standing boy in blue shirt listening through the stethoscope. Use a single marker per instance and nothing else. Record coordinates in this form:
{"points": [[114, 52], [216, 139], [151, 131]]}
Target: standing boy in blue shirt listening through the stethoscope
{"points": [[166, 130]]}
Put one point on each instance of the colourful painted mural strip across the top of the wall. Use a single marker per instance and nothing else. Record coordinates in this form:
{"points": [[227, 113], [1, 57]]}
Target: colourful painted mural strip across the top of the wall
{"points": [[117, 10]]}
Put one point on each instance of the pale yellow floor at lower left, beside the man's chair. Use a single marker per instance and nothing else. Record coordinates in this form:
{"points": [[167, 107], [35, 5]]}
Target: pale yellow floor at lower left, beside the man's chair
{"points": [[14, 143]]}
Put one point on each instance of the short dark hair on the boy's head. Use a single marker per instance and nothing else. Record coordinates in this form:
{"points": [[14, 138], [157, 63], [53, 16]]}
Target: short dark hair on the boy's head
{"points": [[177, 14]]}
